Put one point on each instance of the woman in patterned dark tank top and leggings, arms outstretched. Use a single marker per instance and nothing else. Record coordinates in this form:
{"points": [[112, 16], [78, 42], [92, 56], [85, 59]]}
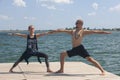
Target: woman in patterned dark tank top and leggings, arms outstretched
{"points": [[31, 48]]}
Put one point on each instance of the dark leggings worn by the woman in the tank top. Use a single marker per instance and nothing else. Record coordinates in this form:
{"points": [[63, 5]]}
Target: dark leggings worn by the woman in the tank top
{"points": [[27, 55]]}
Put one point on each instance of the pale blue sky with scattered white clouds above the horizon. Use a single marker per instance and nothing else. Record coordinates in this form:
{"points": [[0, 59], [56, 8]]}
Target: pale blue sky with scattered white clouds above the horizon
{"points": [[57, 14]]}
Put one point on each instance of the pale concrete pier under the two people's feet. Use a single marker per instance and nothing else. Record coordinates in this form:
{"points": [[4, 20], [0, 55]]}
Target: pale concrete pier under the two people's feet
{"points": [[37, 71]]}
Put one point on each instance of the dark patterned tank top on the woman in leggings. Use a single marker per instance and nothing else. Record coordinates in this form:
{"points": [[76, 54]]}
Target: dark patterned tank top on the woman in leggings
{"points": [[32, 43]]}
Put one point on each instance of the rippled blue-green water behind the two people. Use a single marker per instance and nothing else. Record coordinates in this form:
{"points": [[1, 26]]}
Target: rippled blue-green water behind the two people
{"points": [[105, 48]]}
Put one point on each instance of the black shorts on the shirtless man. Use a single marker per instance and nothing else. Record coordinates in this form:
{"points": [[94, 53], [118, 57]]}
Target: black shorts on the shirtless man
{"points": [[80, 50]]}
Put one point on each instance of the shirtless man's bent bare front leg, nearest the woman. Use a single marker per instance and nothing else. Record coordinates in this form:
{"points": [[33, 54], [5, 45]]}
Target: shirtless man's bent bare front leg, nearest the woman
{"points": [[62, 58]]}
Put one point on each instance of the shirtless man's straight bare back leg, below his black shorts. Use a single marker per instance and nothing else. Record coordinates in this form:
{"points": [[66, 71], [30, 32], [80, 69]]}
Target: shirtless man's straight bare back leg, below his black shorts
{"points": [[96, 63]]}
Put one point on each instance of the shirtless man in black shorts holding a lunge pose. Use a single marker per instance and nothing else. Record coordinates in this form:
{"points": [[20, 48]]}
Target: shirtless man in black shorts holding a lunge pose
{"points": [[78, 48]]}
